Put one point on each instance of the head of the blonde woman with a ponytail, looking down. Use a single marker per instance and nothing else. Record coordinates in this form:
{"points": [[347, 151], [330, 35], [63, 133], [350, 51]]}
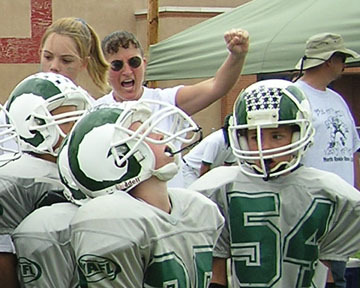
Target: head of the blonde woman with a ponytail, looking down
{"points": [[70, 46]]}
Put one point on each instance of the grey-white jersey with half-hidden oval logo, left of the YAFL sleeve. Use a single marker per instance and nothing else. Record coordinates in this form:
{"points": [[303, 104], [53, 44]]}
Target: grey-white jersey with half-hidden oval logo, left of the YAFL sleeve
{"points": [[42, 243]]}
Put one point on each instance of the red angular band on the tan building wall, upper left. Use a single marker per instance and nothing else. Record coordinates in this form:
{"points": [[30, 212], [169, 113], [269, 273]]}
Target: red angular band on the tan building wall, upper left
{"points": [[26, 50]]}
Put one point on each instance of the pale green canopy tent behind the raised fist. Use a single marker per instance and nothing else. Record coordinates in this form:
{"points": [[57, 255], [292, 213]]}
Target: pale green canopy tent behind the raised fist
{"points": [[278, 32]]}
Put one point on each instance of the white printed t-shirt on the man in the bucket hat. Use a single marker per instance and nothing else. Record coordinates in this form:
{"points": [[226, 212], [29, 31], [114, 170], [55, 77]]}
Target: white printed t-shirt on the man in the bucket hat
{"points": [[336, 139]]}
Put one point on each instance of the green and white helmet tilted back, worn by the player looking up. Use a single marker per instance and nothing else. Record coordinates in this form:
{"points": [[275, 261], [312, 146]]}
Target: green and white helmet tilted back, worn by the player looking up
{"points": [[120, 157]]}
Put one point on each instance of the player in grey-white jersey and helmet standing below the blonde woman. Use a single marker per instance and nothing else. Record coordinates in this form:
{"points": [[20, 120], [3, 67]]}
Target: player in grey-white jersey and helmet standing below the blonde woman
{"points": [[43, 107]]}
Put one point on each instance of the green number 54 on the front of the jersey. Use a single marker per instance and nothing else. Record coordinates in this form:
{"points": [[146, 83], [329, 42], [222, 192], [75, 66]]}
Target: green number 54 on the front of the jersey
{"points": [[257, 247]]}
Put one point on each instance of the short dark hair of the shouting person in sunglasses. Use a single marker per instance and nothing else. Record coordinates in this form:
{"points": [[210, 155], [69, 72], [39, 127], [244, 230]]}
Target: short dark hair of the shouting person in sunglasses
{"points": [[119, 39]]}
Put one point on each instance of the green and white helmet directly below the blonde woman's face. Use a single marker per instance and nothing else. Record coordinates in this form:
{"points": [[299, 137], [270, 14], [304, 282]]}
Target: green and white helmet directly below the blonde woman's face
{"points": [[30, 106]]}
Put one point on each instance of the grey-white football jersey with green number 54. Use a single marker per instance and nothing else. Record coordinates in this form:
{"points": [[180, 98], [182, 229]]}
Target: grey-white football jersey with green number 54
{"points": [[276, 230]]}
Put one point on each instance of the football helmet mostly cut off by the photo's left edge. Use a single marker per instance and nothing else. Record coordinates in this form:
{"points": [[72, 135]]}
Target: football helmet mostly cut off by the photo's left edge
{"points": [[9, 138]]}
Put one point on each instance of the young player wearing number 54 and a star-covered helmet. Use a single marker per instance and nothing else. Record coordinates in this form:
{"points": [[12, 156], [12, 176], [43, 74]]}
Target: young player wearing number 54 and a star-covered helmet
{"points": [[283, 220]]}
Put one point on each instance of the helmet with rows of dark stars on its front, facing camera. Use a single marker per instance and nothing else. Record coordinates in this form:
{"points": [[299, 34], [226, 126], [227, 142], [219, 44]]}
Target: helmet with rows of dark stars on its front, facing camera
{"points": [[268, 104]]}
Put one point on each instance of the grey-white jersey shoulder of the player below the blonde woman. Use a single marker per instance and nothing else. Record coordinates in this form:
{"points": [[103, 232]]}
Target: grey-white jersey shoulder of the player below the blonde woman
{"points": [[22, 188]]}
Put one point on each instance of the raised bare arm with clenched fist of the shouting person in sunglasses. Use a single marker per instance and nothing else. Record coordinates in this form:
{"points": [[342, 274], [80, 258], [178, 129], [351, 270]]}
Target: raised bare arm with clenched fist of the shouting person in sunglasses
{"points": [[196, 97]]}
